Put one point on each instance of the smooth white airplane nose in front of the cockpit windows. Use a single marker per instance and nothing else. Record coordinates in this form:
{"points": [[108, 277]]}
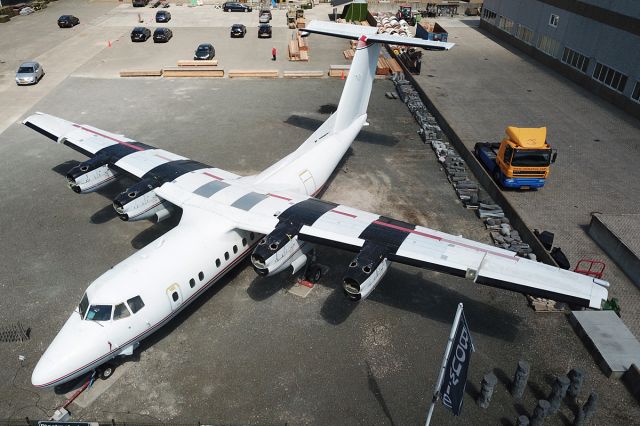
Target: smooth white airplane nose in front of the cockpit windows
{"points": [[78, 348]]}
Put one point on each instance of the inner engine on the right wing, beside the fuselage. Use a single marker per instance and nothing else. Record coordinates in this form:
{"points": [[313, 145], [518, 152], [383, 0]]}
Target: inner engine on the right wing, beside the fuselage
{"points": [[279, 250]]}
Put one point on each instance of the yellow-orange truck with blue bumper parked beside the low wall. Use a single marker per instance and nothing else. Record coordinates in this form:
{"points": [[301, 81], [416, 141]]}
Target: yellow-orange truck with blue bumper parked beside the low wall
{"points": [[521, 160]]}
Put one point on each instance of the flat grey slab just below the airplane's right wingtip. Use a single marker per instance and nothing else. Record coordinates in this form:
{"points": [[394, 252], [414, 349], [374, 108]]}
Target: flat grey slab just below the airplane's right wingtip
{"points": [[611, 343]]}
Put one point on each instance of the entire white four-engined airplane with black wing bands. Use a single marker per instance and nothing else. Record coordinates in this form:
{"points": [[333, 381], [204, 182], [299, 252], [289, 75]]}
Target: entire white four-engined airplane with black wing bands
{"points": [[225, 217]]}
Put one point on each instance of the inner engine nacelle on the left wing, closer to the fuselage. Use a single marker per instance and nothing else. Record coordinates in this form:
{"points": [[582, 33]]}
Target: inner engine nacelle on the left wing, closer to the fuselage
{"points": [[140, 202]]}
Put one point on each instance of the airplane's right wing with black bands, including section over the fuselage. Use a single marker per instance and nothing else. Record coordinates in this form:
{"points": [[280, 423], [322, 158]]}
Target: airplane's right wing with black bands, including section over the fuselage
{"points": [[383, 238]]}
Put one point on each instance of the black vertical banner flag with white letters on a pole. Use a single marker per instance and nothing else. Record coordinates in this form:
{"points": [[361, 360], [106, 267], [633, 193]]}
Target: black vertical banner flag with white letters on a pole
{"points": [[455, 374]]}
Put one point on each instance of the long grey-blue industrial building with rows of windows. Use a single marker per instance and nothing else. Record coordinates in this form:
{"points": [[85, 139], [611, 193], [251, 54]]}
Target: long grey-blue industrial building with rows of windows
{"points": [[595, 43]]}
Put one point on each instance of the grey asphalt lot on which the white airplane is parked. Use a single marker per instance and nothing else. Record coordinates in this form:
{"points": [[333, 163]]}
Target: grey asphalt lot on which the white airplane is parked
{"points": [[249, 352]]}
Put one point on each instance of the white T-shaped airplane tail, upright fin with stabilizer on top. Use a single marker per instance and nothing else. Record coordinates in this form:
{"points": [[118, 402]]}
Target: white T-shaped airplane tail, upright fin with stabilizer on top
{"points": [[357, 89]]}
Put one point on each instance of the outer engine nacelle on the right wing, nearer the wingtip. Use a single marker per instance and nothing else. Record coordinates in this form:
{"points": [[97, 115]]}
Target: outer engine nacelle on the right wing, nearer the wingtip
{"points": [[365, 272]]}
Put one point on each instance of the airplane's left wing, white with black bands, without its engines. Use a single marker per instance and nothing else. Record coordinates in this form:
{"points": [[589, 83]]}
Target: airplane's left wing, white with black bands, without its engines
{"points": [[121, 153]]}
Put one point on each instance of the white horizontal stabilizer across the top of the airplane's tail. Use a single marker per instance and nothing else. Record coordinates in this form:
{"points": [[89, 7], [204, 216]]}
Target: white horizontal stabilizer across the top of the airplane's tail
{"points": [[354, 32]]}
